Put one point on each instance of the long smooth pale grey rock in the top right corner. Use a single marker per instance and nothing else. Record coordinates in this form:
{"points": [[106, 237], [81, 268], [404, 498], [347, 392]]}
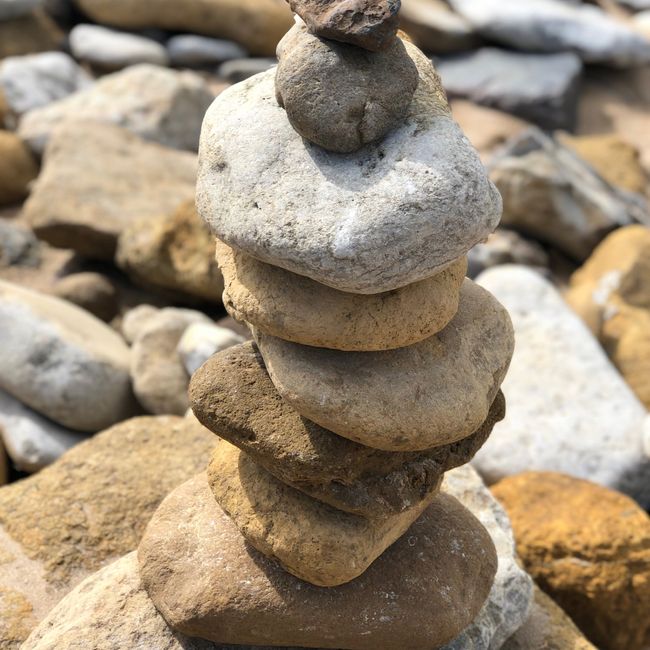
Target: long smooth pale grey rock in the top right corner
{"points": [[556, 26]]}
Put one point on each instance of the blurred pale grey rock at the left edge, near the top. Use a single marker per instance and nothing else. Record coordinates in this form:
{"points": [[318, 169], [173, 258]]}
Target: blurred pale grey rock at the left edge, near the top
{"points": [[36, 80]]}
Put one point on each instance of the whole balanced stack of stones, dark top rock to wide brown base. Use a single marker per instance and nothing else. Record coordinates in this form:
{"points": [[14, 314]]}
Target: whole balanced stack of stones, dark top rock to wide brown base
{"points": [[344, 198]]}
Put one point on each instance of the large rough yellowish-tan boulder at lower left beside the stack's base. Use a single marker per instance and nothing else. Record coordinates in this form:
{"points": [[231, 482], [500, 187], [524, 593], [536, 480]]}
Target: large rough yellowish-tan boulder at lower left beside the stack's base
{"points": [[87, 509]]}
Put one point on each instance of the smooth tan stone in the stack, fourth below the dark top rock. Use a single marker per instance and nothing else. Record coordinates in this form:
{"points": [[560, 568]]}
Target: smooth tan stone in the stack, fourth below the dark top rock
{"points": [[452, 379]]}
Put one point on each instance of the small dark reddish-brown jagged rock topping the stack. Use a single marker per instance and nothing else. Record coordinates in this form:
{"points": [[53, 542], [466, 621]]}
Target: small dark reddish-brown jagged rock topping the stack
{"points": [[370, 24]]}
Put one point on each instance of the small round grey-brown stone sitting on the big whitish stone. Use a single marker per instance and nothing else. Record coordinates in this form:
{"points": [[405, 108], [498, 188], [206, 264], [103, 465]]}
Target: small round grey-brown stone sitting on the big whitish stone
{"points": [[373, 91]]}
